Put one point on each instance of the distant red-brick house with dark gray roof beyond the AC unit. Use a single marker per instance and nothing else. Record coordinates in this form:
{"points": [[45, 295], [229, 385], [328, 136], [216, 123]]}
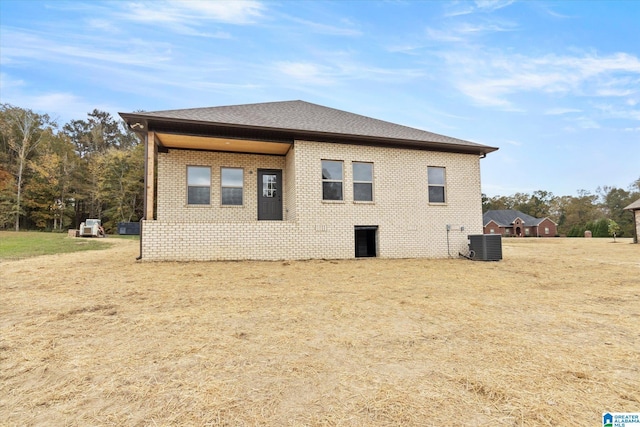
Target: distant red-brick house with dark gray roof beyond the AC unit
{"points": [[514, 223]]}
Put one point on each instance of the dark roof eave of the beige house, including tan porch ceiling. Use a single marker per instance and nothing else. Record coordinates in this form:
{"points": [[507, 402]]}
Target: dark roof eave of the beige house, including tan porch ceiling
{"points": [[198, 135]]}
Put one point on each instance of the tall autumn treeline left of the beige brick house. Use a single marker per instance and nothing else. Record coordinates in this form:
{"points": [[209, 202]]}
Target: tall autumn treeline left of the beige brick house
{"points": [[54, 177]]}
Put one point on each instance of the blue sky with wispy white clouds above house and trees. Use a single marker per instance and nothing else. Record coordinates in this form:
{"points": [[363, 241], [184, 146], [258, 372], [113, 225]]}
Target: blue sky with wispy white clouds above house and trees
{"points": [[555, 85]]}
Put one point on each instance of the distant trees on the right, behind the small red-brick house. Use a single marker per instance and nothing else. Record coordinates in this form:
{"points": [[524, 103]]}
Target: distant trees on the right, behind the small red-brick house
{"points": [[598, 212]]}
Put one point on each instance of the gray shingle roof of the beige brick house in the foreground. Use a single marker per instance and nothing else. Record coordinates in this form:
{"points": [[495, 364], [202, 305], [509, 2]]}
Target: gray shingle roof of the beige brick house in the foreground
{"points": [[308, 117]]}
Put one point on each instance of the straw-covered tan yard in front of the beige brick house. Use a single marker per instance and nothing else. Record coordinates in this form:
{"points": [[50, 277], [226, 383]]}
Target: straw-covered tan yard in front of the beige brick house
{"points": [[548, 336]]}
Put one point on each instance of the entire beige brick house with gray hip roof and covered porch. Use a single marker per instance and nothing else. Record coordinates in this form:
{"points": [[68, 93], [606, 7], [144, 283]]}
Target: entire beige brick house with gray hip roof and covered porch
{"points": [[295, 180]]}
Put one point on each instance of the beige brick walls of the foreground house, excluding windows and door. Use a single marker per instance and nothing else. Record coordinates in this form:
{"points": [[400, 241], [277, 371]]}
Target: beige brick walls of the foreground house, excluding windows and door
{"points": [[408, 225]]}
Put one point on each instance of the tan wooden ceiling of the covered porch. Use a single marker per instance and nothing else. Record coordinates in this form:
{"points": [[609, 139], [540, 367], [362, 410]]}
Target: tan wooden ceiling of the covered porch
{"points": [[189, 142]]}
